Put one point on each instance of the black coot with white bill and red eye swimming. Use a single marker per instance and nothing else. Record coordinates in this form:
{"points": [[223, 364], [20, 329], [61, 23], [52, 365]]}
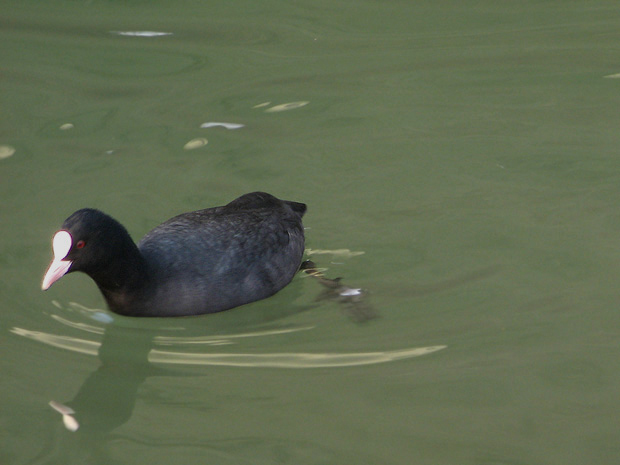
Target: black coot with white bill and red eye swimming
{"points": [[199, 262]]}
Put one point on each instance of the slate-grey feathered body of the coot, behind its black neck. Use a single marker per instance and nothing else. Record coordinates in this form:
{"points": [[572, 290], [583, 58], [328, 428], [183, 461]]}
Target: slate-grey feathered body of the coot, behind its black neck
{"points": [[222, 257]]}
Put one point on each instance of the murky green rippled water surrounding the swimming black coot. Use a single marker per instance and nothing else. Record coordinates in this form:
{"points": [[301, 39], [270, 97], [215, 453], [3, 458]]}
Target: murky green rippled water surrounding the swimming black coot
{"points": [[469, 149]]}
